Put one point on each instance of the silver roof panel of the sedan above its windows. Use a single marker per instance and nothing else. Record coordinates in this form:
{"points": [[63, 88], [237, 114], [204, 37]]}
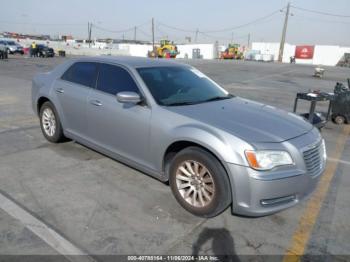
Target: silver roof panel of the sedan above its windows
{"points": [[130, 61]]}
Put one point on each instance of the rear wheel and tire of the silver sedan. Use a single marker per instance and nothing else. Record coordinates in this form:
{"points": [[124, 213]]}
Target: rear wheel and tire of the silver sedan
{"points": [[50, 123]]}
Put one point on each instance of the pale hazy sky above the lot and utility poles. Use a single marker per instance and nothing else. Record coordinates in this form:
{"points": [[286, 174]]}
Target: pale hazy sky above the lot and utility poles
{"points": [[178, 19]]}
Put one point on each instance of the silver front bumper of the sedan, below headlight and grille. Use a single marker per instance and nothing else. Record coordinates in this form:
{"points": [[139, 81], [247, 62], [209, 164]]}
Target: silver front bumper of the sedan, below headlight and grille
{"points": [[256, 197]]}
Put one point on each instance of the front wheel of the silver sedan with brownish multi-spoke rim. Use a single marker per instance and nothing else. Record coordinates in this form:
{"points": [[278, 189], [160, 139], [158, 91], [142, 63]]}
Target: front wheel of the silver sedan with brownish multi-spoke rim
{"points": [[199, 182]]}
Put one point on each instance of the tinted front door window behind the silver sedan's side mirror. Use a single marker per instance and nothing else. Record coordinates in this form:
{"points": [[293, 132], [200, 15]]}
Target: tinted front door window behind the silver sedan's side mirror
{"points": [[114, 79]]}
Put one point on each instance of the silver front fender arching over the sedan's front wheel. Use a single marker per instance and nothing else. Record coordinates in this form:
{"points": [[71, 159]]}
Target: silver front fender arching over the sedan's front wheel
{"points": [[174, 128]]}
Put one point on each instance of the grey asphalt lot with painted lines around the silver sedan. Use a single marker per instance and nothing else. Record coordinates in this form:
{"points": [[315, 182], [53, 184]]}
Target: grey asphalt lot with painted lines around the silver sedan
{"points": [[100, 206]]}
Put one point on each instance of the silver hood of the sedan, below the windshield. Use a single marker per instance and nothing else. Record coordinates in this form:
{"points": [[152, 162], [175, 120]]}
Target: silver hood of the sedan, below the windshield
{"points": [[248, 120]]}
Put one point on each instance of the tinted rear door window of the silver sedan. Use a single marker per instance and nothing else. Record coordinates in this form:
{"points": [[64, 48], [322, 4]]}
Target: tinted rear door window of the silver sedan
{"points": [[83, 73]]}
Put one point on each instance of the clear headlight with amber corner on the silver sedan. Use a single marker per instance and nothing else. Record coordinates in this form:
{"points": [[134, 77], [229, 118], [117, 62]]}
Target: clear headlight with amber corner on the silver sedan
{"points": [[267, 159]]}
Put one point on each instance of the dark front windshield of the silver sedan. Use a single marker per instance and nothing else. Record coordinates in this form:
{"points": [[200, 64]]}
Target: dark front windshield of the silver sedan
{"points": [[175, 86]]}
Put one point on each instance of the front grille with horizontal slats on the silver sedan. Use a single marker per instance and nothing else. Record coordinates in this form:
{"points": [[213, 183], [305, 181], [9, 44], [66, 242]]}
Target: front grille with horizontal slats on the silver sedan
{"points": [[313, 158]]}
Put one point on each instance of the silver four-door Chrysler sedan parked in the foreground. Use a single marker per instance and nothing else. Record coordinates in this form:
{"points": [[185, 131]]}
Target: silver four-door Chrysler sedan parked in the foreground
{"points": [[172, 122]]}
